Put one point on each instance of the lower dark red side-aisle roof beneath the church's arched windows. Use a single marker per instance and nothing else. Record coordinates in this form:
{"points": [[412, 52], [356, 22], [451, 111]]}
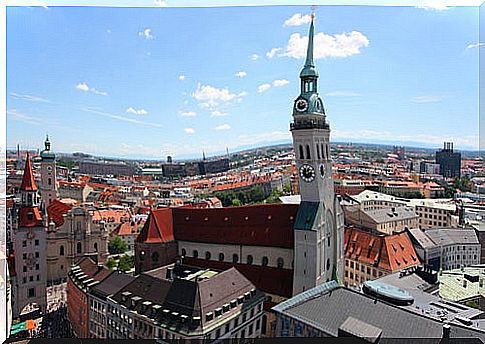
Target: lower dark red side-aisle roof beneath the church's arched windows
{"points": [[268, 279]]}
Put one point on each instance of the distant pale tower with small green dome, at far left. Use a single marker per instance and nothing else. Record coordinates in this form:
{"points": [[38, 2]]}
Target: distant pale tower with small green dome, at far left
{"points": [[48, 186]]}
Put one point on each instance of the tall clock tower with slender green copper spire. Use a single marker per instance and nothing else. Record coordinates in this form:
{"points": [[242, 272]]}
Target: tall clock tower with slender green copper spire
{"points": [[319, 223]]}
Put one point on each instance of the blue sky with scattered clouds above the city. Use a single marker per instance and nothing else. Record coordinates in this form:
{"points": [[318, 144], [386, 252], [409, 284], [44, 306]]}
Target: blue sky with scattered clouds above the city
{"points": [[151, 82]]}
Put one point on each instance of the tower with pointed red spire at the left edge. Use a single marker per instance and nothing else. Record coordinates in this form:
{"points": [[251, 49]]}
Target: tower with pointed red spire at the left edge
{"points": [[29, 248]]}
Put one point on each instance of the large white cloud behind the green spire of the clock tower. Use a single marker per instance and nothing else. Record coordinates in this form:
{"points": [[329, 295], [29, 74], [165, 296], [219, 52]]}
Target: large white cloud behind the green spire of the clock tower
{"points": [[338, 45]]}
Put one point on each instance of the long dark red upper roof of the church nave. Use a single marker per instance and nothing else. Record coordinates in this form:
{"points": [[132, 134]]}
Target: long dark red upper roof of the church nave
{"points": [[258, 225]]}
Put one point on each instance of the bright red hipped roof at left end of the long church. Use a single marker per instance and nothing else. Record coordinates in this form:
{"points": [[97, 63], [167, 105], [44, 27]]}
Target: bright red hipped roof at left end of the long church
{"points": [[158, 228]]}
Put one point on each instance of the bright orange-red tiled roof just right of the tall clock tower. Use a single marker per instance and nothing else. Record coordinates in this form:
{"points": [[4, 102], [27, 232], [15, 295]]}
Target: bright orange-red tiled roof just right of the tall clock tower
{"points": [[391, 253]]}
